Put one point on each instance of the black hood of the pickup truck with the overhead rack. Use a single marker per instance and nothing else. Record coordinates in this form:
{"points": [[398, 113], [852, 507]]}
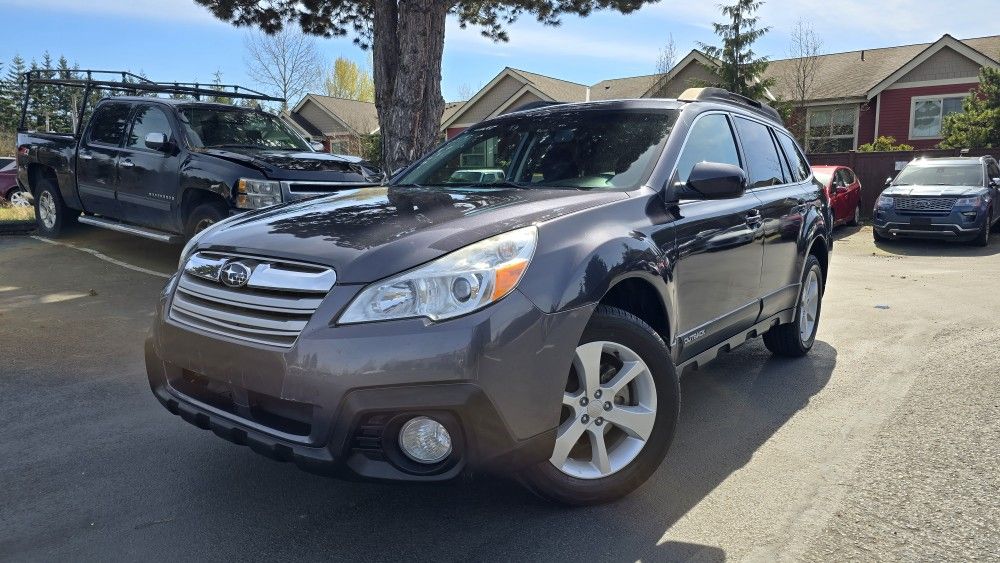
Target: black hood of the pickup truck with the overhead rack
{"points": [[304, 165]]}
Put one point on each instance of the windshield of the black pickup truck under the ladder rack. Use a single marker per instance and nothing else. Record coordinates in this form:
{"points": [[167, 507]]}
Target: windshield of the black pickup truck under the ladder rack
{"points": [[213, 127]]}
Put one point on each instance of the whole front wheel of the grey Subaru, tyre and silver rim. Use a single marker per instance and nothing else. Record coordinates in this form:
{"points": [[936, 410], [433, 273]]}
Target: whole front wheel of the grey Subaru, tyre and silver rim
{"points": [[619, 412]]}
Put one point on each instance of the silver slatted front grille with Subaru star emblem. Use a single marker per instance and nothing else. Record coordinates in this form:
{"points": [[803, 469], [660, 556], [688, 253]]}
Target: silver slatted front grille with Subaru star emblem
{"points": [[248, 298]]}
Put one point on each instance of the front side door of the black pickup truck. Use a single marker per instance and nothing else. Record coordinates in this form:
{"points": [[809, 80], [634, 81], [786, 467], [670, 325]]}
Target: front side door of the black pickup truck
{"points": [[148, 178]]}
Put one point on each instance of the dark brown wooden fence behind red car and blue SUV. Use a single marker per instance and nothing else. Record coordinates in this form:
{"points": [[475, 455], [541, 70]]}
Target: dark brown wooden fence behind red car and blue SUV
{"points": [[873, 168]]}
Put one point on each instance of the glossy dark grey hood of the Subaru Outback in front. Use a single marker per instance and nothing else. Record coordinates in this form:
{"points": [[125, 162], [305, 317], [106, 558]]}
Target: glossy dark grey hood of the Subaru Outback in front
{"points": [[366, 234]]}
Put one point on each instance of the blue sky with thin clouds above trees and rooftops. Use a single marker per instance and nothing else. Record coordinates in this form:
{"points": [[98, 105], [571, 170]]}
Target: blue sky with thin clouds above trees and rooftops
{"points": [[180, 40]]}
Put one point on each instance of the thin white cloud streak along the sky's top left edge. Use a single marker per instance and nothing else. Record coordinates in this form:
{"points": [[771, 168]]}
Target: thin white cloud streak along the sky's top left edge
{"points": [[163, 10]]}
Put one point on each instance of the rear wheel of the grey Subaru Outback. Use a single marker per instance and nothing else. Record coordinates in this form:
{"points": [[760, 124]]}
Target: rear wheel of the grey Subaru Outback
{"points": [[797, 338]]}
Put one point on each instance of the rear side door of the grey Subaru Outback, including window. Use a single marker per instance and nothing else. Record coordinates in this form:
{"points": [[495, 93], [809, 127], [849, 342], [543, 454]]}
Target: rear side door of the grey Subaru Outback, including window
{"points": [[781, 186]]}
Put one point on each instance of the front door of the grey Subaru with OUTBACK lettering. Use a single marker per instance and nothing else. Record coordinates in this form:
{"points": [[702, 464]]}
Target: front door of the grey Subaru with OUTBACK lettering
{"points": [[719, 251]]}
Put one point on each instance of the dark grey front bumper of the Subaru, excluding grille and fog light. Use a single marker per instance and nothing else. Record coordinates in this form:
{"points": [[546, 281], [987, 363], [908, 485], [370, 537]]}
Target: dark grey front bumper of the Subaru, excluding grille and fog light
{"points": [[333, 402]]}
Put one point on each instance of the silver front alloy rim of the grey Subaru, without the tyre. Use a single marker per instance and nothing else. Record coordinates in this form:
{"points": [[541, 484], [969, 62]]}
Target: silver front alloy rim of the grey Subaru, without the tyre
{"points": [[609, 409]]}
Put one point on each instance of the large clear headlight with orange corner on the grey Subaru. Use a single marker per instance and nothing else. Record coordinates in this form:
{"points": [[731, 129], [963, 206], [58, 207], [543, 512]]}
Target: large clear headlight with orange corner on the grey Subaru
{"points": [[458, 283]]}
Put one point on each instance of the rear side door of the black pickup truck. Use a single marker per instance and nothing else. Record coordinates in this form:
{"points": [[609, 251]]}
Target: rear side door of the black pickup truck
{"points": [[97, 159]]}
